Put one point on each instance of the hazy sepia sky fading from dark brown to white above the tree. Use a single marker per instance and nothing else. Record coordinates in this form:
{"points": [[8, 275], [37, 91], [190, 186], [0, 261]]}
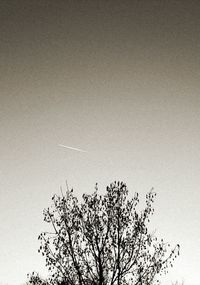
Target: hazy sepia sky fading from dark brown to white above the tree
{"points": [[118, 79]]}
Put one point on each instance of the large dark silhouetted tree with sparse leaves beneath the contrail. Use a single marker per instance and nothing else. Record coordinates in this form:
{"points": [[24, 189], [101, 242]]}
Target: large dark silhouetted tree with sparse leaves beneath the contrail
{"points": [[104, 240]]}
